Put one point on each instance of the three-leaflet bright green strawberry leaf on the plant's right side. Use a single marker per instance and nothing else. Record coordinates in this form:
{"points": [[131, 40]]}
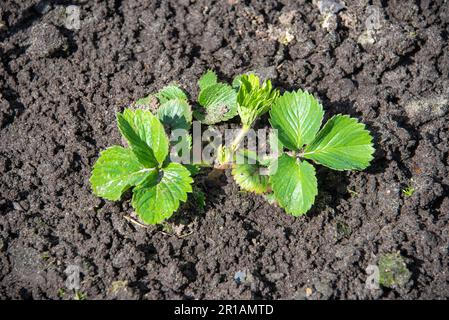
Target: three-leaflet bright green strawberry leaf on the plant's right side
{"points": [[342, 144]]}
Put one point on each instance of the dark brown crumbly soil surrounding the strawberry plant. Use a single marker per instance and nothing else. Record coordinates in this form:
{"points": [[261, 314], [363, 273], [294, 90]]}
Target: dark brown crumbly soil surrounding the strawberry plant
{"points": [[60, 89]]}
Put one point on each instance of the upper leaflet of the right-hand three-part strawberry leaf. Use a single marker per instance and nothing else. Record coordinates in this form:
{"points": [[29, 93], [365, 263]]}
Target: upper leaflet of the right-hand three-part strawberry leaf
{"points": [[297, 116]]}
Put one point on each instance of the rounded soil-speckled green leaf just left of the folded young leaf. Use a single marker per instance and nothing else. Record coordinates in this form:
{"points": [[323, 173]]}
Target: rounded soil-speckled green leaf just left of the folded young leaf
{"points": [[219, 103]]}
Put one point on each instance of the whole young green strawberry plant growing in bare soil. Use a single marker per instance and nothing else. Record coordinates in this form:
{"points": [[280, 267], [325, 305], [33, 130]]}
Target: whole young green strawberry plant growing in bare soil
{"points": [[159, 185]]}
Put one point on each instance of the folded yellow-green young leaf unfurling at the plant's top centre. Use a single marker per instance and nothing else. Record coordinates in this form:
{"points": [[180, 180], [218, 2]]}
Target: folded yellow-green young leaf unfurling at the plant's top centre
{"points": [[253, 99]]}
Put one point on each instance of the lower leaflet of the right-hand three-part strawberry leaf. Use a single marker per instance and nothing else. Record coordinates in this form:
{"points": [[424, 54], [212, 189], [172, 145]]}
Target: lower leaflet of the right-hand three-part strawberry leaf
{"points": [[294, 184]]}
